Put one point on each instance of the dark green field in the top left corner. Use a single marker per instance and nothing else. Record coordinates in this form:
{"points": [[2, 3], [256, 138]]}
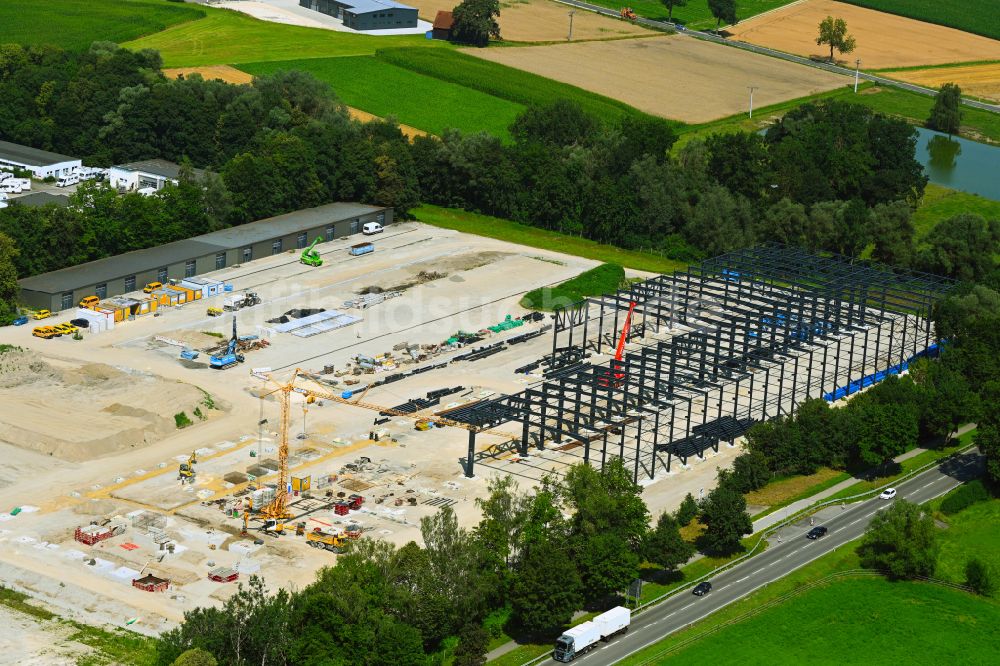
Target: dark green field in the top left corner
{"points": [[75, 24]]}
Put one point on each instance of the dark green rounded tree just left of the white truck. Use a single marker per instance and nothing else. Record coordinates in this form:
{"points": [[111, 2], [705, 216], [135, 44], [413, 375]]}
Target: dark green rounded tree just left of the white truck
{"points": [[547, 590]]}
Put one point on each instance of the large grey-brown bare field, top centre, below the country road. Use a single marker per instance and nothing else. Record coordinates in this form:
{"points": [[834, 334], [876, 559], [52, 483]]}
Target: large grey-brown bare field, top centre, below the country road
{"points": [[675, 77]]}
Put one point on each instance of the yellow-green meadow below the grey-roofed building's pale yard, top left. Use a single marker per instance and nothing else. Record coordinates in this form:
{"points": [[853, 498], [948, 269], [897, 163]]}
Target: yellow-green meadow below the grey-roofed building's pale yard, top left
{"points": [[227, 37]]}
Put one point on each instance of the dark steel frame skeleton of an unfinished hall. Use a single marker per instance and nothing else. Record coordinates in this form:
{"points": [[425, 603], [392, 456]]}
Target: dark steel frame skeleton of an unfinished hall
{"points": [[736, 339]]}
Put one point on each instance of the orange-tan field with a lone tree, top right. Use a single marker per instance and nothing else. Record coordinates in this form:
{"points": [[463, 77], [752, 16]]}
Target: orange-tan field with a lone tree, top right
{"points": [[883, 40]]}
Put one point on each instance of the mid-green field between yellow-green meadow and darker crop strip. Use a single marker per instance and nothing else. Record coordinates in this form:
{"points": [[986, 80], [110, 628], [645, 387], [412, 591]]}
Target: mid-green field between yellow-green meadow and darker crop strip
{"points": [[384, 89]]}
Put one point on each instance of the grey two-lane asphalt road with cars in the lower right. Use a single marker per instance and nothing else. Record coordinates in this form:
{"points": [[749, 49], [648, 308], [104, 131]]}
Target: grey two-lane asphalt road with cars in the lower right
{"points": [[781, 558]]}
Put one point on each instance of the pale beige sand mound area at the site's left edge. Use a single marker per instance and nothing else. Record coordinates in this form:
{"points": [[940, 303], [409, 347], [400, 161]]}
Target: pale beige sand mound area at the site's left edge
{"points": [[87, 411]]}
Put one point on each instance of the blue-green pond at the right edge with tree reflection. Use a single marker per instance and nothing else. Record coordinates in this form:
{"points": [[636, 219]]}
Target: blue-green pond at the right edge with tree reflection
{"points": [[959, 163]]}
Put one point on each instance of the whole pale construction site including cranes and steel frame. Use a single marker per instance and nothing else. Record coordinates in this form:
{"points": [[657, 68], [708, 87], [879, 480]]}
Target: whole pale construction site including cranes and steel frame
{"points": [[348, 390]]}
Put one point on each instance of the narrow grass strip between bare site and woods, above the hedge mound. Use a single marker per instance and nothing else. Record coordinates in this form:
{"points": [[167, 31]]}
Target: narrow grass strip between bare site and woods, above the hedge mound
{"points": [[523, 234]]}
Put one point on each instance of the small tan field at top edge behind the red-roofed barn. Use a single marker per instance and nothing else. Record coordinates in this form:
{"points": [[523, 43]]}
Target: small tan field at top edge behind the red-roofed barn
{"points": [[542, 21]]}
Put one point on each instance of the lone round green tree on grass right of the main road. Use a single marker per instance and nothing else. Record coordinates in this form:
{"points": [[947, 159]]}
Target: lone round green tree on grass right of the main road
{"points": [[901, 540]]}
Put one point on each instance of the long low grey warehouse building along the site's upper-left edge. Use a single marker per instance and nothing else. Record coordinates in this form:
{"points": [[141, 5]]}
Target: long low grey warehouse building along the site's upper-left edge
{"points": [[63, 289]]}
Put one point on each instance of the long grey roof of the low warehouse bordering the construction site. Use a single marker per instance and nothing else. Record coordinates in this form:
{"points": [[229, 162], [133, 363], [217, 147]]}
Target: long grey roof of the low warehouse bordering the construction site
{"points": [[137, 261]]}
